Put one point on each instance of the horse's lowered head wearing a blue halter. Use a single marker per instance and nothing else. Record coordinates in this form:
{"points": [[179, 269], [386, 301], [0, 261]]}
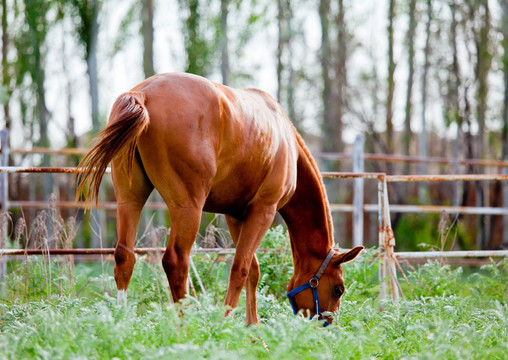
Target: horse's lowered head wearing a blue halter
{"points": [[320, 291]]}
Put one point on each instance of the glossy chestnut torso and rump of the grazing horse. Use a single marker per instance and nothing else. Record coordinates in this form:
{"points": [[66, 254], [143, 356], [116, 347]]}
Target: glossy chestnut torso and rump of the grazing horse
{"points": [[232, 147]]}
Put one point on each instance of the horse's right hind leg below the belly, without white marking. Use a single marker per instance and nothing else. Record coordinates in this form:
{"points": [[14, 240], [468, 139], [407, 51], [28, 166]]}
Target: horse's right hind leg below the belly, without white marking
{"points": [[184, 229]]}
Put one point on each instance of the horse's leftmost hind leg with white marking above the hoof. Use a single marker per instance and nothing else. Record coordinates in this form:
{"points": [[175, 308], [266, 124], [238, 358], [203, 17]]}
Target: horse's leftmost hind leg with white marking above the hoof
{"points": [[131, 197]]}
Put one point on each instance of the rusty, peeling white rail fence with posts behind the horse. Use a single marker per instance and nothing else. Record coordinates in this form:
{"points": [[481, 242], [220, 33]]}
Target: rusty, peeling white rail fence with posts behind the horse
{"points": [[389, 258]]}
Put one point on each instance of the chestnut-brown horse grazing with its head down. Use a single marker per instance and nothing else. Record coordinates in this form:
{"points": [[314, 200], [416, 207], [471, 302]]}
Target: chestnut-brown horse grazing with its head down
{"points": [[208, 147]]}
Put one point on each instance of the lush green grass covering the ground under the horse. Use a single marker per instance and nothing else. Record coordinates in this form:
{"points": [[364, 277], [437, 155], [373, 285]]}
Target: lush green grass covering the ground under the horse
{"points": [[449, 313]]}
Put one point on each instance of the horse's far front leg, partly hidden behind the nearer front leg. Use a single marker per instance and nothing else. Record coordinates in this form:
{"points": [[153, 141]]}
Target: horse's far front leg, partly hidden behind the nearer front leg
{"points": [[235, 227]]}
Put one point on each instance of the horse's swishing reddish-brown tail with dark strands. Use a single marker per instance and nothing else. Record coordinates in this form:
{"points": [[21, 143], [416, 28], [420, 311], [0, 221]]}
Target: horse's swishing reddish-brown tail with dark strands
{"points": [[129, 118]]}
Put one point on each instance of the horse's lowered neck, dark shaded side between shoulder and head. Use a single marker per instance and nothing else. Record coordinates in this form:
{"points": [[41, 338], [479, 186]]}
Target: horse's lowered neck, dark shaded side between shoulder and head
{"points": [[307, 214]]}
